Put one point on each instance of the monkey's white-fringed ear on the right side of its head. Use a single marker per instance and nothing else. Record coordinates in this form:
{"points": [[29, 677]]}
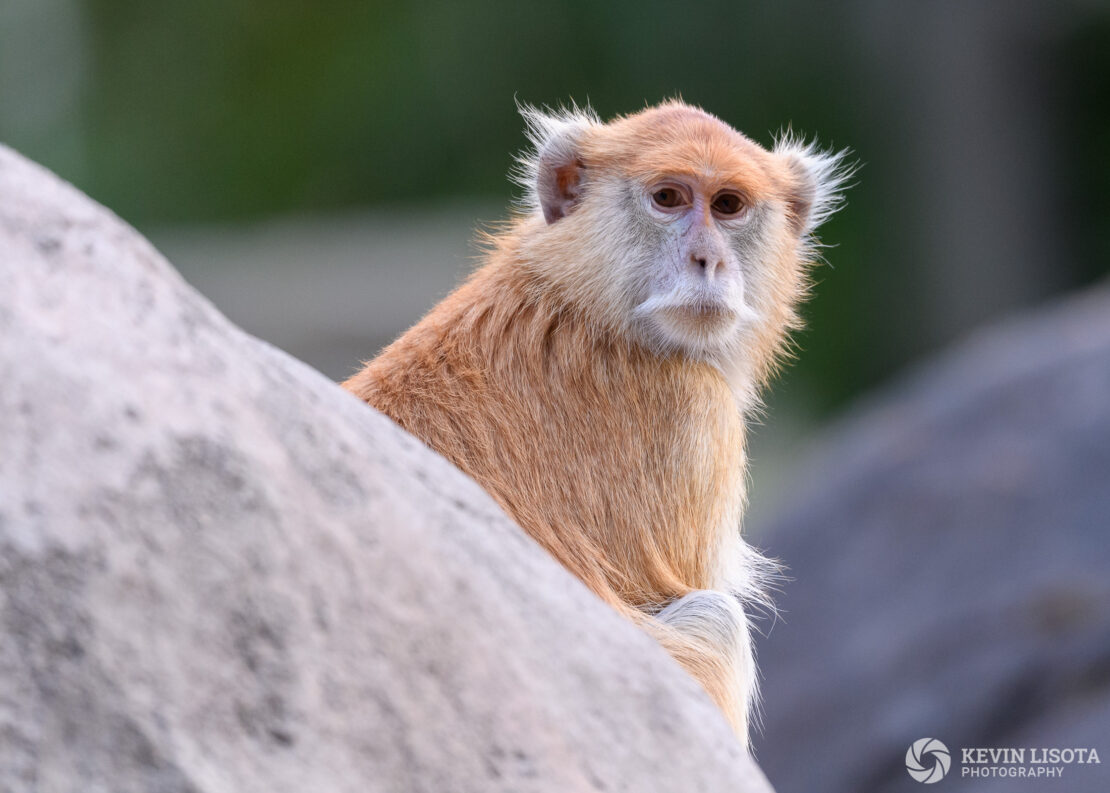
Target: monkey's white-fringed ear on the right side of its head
{"points": [[816, 183]]}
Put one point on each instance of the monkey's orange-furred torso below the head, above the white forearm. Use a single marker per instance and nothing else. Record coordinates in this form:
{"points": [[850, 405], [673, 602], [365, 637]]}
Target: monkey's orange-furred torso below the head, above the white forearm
{"points": [[602, 431]]}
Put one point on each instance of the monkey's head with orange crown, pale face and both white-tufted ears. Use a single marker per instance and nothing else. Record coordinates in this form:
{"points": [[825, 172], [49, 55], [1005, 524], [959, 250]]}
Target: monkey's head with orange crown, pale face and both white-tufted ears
{"points": [[685, 235]]}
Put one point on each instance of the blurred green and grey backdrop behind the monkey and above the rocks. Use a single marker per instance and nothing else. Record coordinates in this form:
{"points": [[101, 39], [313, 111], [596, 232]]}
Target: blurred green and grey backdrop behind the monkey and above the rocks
{"points": [[317, 169]]}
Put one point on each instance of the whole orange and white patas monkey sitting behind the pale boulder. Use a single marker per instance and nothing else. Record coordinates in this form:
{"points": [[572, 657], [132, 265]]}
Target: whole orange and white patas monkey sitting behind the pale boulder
{"points": [[594, 376]]}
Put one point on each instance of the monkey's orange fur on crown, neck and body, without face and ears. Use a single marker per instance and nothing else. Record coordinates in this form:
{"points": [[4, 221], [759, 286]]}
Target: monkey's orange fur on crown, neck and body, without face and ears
{"points": [[624, 460]]}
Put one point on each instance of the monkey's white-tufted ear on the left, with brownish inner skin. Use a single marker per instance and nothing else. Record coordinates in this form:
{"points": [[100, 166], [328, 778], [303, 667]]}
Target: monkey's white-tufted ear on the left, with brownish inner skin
{"points": [[553, 174]]}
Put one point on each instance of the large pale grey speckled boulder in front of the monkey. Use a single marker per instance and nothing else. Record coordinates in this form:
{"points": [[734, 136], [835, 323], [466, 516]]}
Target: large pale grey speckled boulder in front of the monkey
{"points": [[220, 573]]}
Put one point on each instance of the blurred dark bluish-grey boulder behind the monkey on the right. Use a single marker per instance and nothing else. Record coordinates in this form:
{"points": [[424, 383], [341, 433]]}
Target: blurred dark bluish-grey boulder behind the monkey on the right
{"points": [[951, 556]]}
